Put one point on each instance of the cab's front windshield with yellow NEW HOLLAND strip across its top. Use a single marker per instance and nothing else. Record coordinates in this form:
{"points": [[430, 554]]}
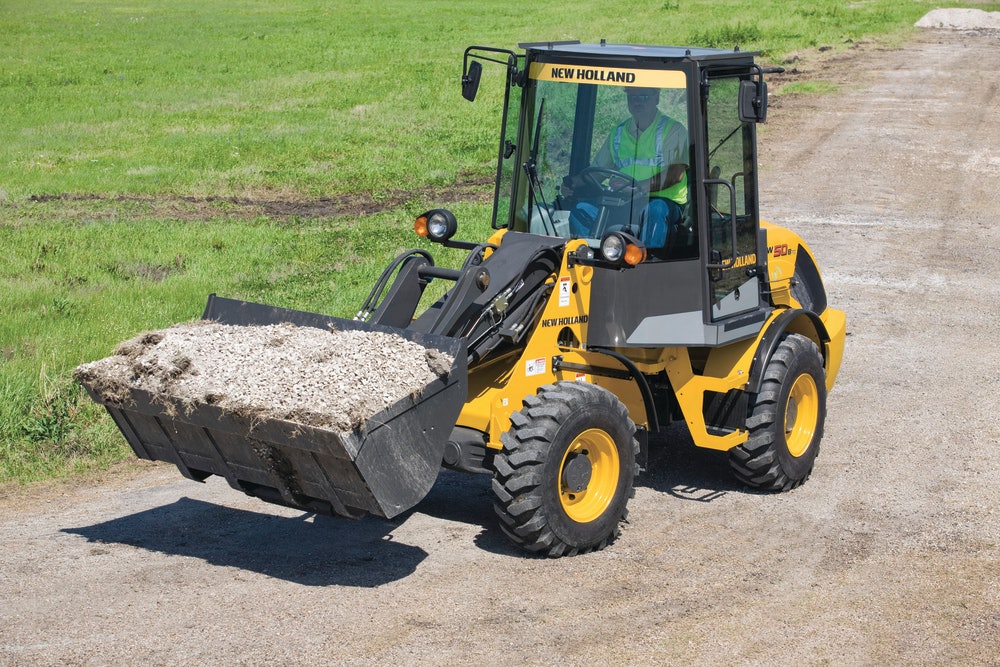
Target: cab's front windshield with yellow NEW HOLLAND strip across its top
{"points": [[607, 149]]}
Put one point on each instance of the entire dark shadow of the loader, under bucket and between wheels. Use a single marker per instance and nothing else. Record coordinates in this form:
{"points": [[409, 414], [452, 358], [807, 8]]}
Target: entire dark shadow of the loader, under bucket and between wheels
{"points": [[321, 551]]}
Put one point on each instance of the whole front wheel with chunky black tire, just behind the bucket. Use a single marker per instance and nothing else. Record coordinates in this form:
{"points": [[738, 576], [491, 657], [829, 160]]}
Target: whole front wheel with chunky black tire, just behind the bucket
{"points": [[566, 471]]}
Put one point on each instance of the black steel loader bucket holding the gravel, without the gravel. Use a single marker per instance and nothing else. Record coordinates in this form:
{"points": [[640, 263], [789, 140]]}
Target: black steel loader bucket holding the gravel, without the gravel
{"points": [[385, 466]]}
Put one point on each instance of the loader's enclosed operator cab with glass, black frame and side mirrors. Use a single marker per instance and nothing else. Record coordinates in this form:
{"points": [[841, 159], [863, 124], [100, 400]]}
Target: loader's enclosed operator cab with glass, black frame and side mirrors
{"points": [[600, 127]]}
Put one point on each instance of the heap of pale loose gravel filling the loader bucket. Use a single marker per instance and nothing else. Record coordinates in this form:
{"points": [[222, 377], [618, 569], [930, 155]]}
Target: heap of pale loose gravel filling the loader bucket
{"points": [[325, 378]]}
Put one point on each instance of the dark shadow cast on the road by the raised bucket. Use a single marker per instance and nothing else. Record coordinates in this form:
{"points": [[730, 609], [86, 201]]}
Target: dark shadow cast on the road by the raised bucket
{"points": [[304, 549]]}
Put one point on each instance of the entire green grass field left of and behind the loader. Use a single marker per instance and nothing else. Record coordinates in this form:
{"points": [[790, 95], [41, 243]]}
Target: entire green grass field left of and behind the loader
{"points": [[132, 130]]}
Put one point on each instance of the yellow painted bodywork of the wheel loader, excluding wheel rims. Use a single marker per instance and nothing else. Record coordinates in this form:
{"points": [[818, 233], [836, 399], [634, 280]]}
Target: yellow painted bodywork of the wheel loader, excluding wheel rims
{"points": [[498, 386]]}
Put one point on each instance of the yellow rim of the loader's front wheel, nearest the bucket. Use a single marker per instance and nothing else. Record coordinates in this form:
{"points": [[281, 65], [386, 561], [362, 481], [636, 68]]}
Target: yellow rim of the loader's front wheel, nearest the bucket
{"points": [[588, 476]]}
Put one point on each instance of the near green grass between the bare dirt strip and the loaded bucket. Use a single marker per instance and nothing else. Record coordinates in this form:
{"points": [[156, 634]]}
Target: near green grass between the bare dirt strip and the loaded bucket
{"points": [[72, 288]]}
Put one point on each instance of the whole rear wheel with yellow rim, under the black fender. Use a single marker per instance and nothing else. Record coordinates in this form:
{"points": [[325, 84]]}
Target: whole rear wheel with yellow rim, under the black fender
{"points": [[786, 420]]}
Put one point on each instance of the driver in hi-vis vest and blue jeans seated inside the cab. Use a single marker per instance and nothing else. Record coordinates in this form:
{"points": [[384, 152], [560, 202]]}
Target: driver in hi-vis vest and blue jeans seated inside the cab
{"points": [[651, 149]]}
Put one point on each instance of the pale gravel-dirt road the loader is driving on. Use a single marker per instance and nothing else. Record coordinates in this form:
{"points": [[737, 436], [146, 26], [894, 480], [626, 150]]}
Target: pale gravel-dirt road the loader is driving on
{"points": [[888, 555]]}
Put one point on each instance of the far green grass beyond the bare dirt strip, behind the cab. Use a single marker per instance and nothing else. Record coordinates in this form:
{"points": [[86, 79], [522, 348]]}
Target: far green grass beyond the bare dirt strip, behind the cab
{"points": [[310, 97]]}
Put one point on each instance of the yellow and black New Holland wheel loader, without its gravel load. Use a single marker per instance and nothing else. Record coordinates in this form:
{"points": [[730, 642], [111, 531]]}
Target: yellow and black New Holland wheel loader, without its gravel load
{"points": [[578, 330]]}
